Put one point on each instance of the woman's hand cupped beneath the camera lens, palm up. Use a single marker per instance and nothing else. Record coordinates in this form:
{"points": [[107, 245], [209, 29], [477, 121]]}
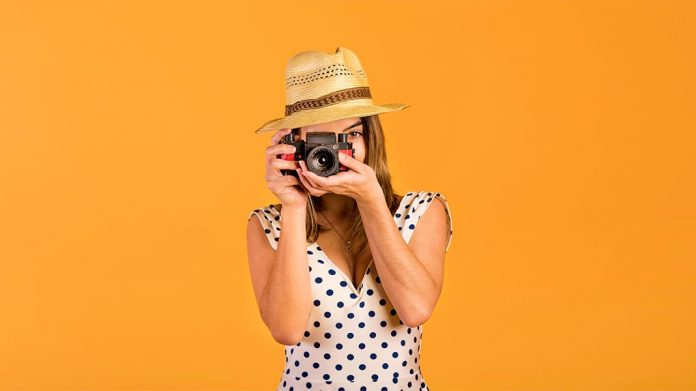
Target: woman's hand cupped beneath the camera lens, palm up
{"points": [[359, 182]]}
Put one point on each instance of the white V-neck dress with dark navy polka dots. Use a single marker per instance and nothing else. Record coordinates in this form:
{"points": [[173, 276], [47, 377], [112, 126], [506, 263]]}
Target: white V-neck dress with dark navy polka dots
{"points": [[354, 339]]}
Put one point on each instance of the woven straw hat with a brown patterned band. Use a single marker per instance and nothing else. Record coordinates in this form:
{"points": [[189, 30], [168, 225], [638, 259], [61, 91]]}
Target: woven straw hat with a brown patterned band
{"points": [[321, 87]]}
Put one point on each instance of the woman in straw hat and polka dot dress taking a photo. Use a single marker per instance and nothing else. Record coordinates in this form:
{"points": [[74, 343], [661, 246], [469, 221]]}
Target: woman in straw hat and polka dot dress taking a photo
{"points": [[341, 275]]}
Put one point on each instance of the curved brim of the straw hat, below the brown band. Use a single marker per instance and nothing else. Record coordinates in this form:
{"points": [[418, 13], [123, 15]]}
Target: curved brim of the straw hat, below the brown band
{"points": [[327, 114]]}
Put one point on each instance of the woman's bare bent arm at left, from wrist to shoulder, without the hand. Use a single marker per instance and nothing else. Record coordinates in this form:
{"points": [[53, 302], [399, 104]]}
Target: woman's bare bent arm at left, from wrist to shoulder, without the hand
{"points": [[280, 277]]}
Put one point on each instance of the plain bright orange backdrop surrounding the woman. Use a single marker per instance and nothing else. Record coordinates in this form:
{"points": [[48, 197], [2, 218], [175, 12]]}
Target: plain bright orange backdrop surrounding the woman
{"points": [[562, 135]]}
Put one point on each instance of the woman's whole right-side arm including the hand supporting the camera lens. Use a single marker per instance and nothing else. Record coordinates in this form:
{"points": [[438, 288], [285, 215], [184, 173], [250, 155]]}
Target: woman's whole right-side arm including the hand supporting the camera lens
{"points": [[411, 273]]}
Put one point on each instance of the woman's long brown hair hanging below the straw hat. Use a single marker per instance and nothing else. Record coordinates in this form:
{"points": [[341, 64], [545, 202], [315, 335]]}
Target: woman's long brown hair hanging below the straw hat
{"points": [[375, 157]]}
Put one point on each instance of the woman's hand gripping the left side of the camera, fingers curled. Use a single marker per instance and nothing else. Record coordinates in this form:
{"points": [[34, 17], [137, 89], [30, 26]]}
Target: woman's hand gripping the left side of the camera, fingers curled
{"points": [[283, 186]]}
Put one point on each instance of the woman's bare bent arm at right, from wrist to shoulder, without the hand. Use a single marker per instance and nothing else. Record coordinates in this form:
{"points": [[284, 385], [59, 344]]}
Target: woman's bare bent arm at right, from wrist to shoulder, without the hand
{"points": [[412, 274]]}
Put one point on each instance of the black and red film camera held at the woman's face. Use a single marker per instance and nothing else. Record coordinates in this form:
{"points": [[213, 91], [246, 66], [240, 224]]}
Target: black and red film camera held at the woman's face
{"points": [[320, 152]]}
